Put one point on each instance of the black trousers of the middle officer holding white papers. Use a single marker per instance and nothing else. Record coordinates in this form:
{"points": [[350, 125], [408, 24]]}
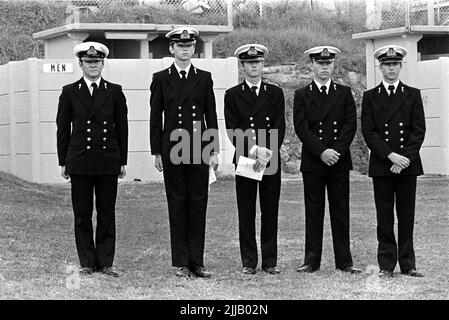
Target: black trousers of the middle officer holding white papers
{"points": [[269, 193]]}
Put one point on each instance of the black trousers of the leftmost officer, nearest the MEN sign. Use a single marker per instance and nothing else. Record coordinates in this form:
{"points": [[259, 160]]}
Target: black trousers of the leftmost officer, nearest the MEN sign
{"points": [[100, 253]]}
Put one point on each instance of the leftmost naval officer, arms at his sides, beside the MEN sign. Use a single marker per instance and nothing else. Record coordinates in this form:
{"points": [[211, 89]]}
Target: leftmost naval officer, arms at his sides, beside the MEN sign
{"points": [[92, 143]]}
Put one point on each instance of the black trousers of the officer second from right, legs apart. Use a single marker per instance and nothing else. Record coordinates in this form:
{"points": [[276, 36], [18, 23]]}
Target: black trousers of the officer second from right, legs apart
{"points": [[337, 184]]}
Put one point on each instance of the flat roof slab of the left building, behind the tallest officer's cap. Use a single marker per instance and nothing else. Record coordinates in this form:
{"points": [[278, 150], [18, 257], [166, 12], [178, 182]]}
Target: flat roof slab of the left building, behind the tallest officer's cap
{"points": [[125, 27]]}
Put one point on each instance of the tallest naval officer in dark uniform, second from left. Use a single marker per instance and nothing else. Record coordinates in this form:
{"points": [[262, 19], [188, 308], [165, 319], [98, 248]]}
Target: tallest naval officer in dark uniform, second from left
{"points": [[182, 112]]}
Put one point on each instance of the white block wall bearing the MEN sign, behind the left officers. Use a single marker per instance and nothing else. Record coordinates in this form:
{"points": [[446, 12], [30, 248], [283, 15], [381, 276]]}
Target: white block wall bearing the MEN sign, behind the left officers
{"points": [[28, 106]]}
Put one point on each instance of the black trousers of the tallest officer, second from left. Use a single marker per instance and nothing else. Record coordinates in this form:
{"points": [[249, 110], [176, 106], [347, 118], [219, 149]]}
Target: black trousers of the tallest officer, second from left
{"points": [[186, 186]]}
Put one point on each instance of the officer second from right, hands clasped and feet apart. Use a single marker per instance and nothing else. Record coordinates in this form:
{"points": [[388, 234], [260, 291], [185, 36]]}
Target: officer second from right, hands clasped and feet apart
{"points": [[325, 121]]}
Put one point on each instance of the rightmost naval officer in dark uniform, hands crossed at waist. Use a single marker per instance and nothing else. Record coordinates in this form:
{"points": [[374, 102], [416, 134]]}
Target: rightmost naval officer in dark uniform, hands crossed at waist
{"points": [[393, 125]]}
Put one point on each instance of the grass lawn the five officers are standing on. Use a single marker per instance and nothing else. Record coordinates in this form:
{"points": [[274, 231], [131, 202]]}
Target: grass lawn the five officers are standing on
{"points": [[37, 247]]}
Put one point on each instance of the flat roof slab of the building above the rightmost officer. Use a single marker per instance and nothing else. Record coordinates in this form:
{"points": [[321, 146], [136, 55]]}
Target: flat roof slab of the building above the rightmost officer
{"points": [[400, 31]]}
